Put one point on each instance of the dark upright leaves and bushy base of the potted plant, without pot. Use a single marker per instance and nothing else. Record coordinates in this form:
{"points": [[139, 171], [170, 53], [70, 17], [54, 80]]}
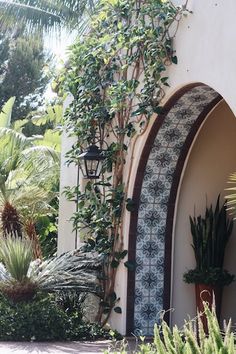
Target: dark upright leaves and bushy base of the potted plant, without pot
{"points": [[210, 236]]}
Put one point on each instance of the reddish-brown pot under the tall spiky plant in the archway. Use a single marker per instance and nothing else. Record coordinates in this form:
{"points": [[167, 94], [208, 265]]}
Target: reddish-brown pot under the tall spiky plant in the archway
{"points": [[209, 294]]}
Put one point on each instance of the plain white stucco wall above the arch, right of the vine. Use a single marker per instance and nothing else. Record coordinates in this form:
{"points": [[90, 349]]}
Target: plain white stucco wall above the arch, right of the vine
{"points": [[204, 48]]}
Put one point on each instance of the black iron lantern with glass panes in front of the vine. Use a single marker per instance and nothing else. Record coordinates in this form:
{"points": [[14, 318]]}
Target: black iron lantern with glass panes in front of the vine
{"points": [[91, 162]]}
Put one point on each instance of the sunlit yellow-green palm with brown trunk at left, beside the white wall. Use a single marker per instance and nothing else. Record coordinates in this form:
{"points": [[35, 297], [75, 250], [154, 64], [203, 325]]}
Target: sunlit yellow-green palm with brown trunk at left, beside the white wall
{"points": [[27, 174]]}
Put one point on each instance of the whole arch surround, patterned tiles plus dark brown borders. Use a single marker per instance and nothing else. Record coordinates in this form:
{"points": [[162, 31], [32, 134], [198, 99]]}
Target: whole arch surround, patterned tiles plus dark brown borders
{"points": [[155, 192]]}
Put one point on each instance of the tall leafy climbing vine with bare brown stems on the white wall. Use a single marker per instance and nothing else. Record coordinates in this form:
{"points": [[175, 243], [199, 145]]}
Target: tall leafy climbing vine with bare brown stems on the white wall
{"points": [[117, 75]]}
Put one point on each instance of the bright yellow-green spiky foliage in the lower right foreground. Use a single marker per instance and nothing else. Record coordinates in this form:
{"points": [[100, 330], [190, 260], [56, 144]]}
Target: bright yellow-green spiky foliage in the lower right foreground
{"points": [[190, 340]]}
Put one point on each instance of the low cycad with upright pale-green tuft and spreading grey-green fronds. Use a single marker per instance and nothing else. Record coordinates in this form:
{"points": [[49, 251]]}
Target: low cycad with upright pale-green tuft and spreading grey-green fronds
{"points": [[21, 278]]}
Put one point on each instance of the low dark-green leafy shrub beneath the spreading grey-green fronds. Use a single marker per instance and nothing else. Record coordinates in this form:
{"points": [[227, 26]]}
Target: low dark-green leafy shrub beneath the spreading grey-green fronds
{"points": [[39, 320]]}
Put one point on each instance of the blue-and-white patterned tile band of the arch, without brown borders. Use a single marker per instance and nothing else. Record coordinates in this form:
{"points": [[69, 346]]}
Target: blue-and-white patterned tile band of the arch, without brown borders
{"points": [[153, 208]]}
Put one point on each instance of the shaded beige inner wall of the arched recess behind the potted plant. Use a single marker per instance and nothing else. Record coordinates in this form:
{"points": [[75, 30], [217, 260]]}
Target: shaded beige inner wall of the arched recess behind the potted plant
{"points": [[210, 162]]}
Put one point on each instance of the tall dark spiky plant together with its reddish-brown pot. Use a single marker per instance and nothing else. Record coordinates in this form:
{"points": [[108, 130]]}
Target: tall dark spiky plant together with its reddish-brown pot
{"points": [[210, 235]]}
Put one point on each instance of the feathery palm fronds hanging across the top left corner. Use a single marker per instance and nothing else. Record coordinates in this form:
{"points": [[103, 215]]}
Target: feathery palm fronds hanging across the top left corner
{"points": [[44, 14]]}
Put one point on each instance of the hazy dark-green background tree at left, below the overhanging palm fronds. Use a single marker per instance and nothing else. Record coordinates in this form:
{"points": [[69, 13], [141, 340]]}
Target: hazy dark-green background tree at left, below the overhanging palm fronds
{"points": [[22, 73]]}
